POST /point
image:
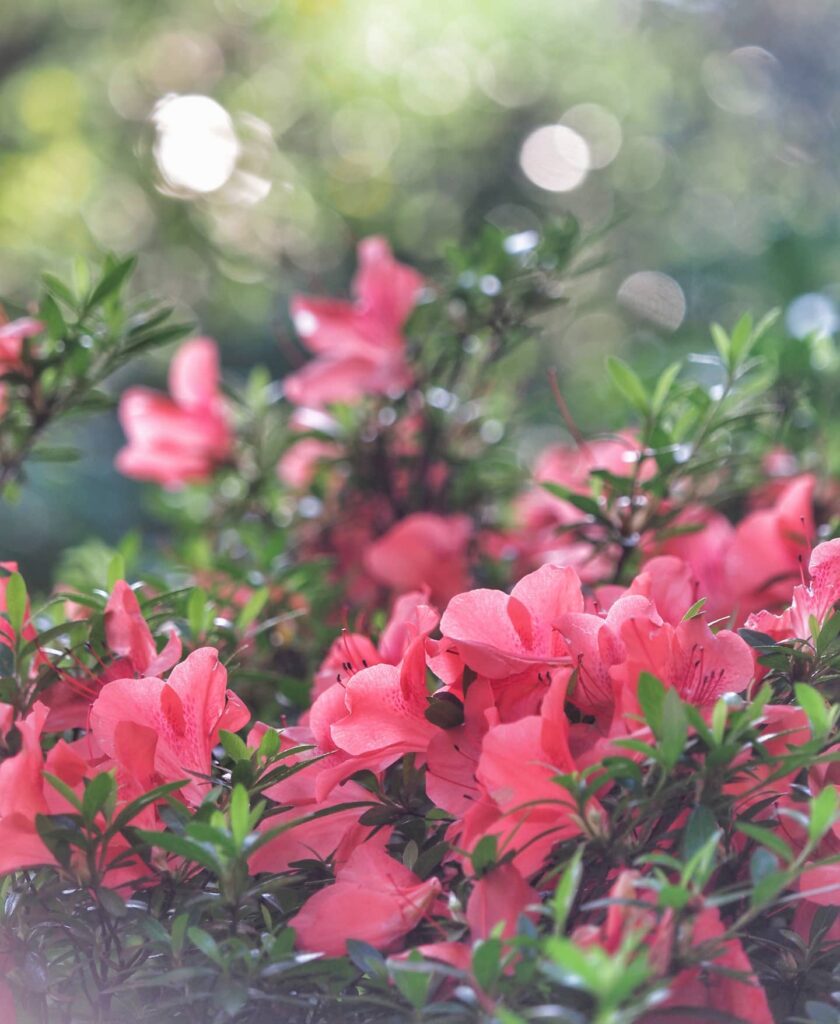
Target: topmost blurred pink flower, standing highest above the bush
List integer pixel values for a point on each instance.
(359, 347)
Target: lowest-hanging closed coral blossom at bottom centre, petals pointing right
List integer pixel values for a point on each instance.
(375, 900)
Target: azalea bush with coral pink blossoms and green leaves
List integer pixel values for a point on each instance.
(389, 723)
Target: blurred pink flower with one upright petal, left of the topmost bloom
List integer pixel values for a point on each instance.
(174, 441)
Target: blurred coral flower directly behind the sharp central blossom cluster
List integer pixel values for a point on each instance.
(424, 550)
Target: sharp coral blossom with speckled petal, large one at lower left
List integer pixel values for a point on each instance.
(167, 731)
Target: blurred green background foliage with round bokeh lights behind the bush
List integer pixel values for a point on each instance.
(242, 147)
